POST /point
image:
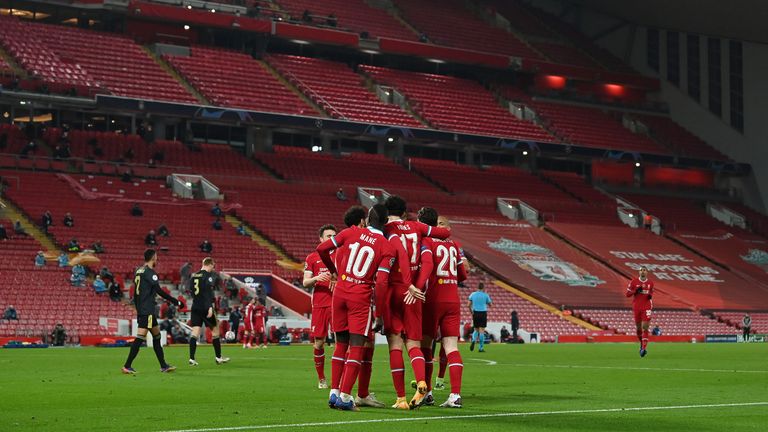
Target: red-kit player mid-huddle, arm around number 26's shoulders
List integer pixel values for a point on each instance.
(404, 320)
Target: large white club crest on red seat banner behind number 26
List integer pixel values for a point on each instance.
(544, 263)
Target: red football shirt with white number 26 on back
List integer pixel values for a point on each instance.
(442, 259)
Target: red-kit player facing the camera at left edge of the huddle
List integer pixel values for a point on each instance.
(317, 277)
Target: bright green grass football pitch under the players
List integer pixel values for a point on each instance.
(579, 387)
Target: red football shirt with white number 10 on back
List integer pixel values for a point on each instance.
(363, 264)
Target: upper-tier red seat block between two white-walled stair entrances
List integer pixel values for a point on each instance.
(456, 104)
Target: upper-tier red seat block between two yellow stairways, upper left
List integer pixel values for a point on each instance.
(231, 79)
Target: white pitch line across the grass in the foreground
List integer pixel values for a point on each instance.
(472, 416)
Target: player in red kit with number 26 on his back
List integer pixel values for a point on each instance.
(443, 268)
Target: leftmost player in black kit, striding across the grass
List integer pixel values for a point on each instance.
(147, 285)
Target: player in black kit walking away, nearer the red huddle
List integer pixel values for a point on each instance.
(202, 284)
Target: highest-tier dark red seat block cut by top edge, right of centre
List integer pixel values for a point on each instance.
(450, 22)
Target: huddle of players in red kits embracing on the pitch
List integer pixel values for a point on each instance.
(384, 273)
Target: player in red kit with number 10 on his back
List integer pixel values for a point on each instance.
(365, 261)
